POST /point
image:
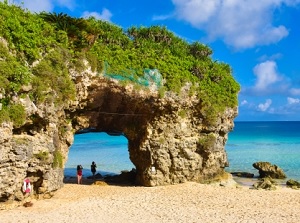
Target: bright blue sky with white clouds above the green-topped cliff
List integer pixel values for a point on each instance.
(259, 39)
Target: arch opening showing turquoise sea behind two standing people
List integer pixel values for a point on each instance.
(109, 150)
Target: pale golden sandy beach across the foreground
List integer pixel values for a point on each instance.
(188, 202)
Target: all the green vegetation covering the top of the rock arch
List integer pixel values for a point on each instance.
(39, 49)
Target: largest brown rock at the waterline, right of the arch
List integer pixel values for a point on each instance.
(267, 169)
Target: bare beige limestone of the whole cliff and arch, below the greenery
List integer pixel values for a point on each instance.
(169, 141)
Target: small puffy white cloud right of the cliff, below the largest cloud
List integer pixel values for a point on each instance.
(266, 74)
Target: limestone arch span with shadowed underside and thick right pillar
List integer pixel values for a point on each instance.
(169, 141)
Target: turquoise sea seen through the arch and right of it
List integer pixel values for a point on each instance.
(249, 142)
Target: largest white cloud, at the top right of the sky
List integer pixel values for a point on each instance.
(241, 24)
